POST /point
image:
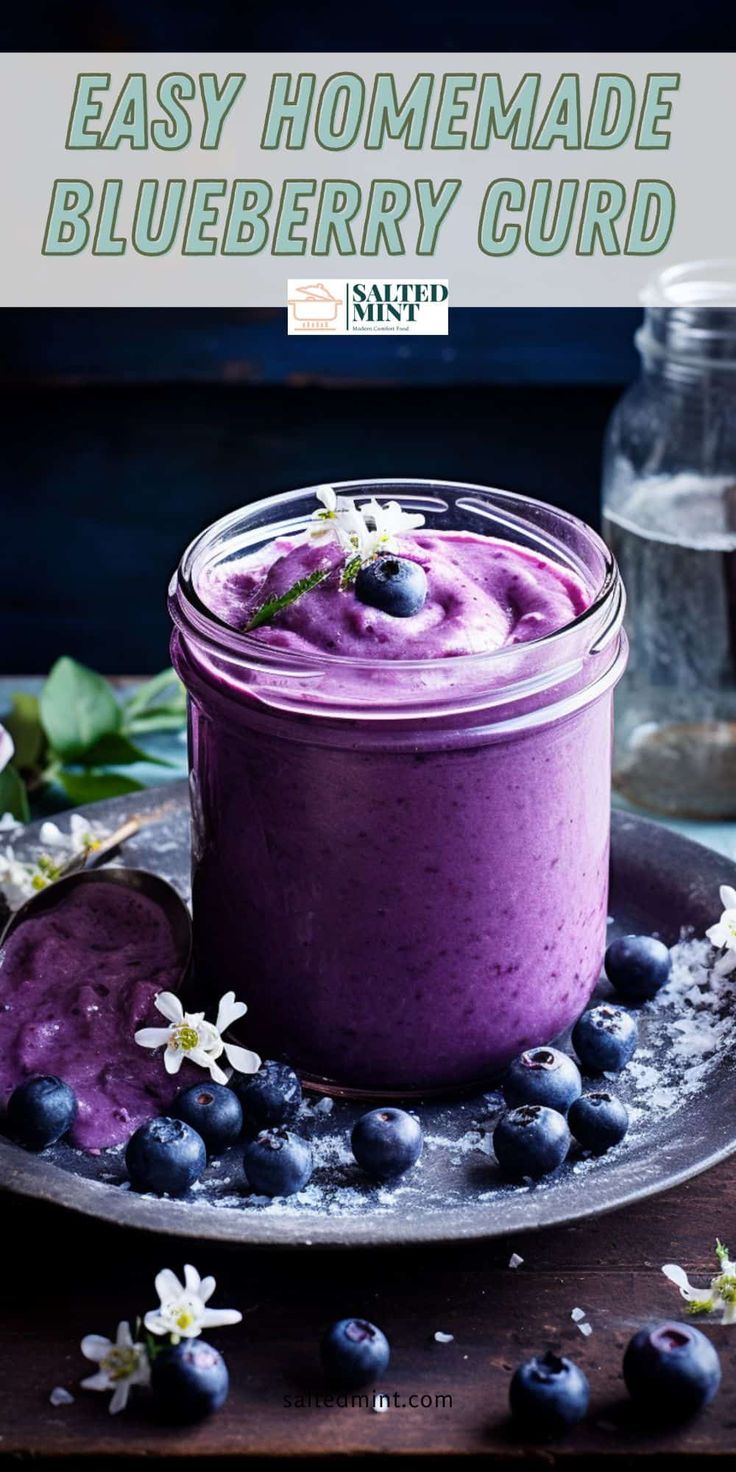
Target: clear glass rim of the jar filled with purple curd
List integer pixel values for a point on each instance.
(194, 616)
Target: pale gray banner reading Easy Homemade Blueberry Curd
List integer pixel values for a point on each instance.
(386, 185)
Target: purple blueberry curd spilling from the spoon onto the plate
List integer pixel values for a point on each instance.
(76, 983)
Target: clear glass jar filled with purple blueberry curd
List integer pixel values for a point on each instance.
(401, 866)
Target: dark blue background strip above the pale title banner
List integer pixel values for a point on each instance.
(323, 26)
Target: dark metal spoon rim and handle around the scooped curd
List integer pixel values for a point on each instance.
(80, 871)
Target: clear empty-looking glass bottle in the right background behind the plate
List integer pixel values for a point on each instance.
(670, 519)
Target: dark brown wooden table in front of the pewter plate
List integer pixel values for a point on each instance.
(66, 1277)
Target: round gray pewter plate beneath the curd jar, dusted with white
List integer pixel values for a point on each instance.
(681, 1089)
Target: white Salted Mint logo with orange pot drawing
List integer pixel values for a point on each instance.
(369, 308)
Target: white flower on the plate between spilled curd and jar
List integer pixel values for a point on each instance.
(191, 1037)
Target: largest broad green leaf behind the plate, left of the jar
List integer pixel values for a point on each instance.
(77, 709)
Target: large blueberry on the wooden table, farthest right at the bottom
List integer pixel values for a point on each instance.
(672, 1371)
